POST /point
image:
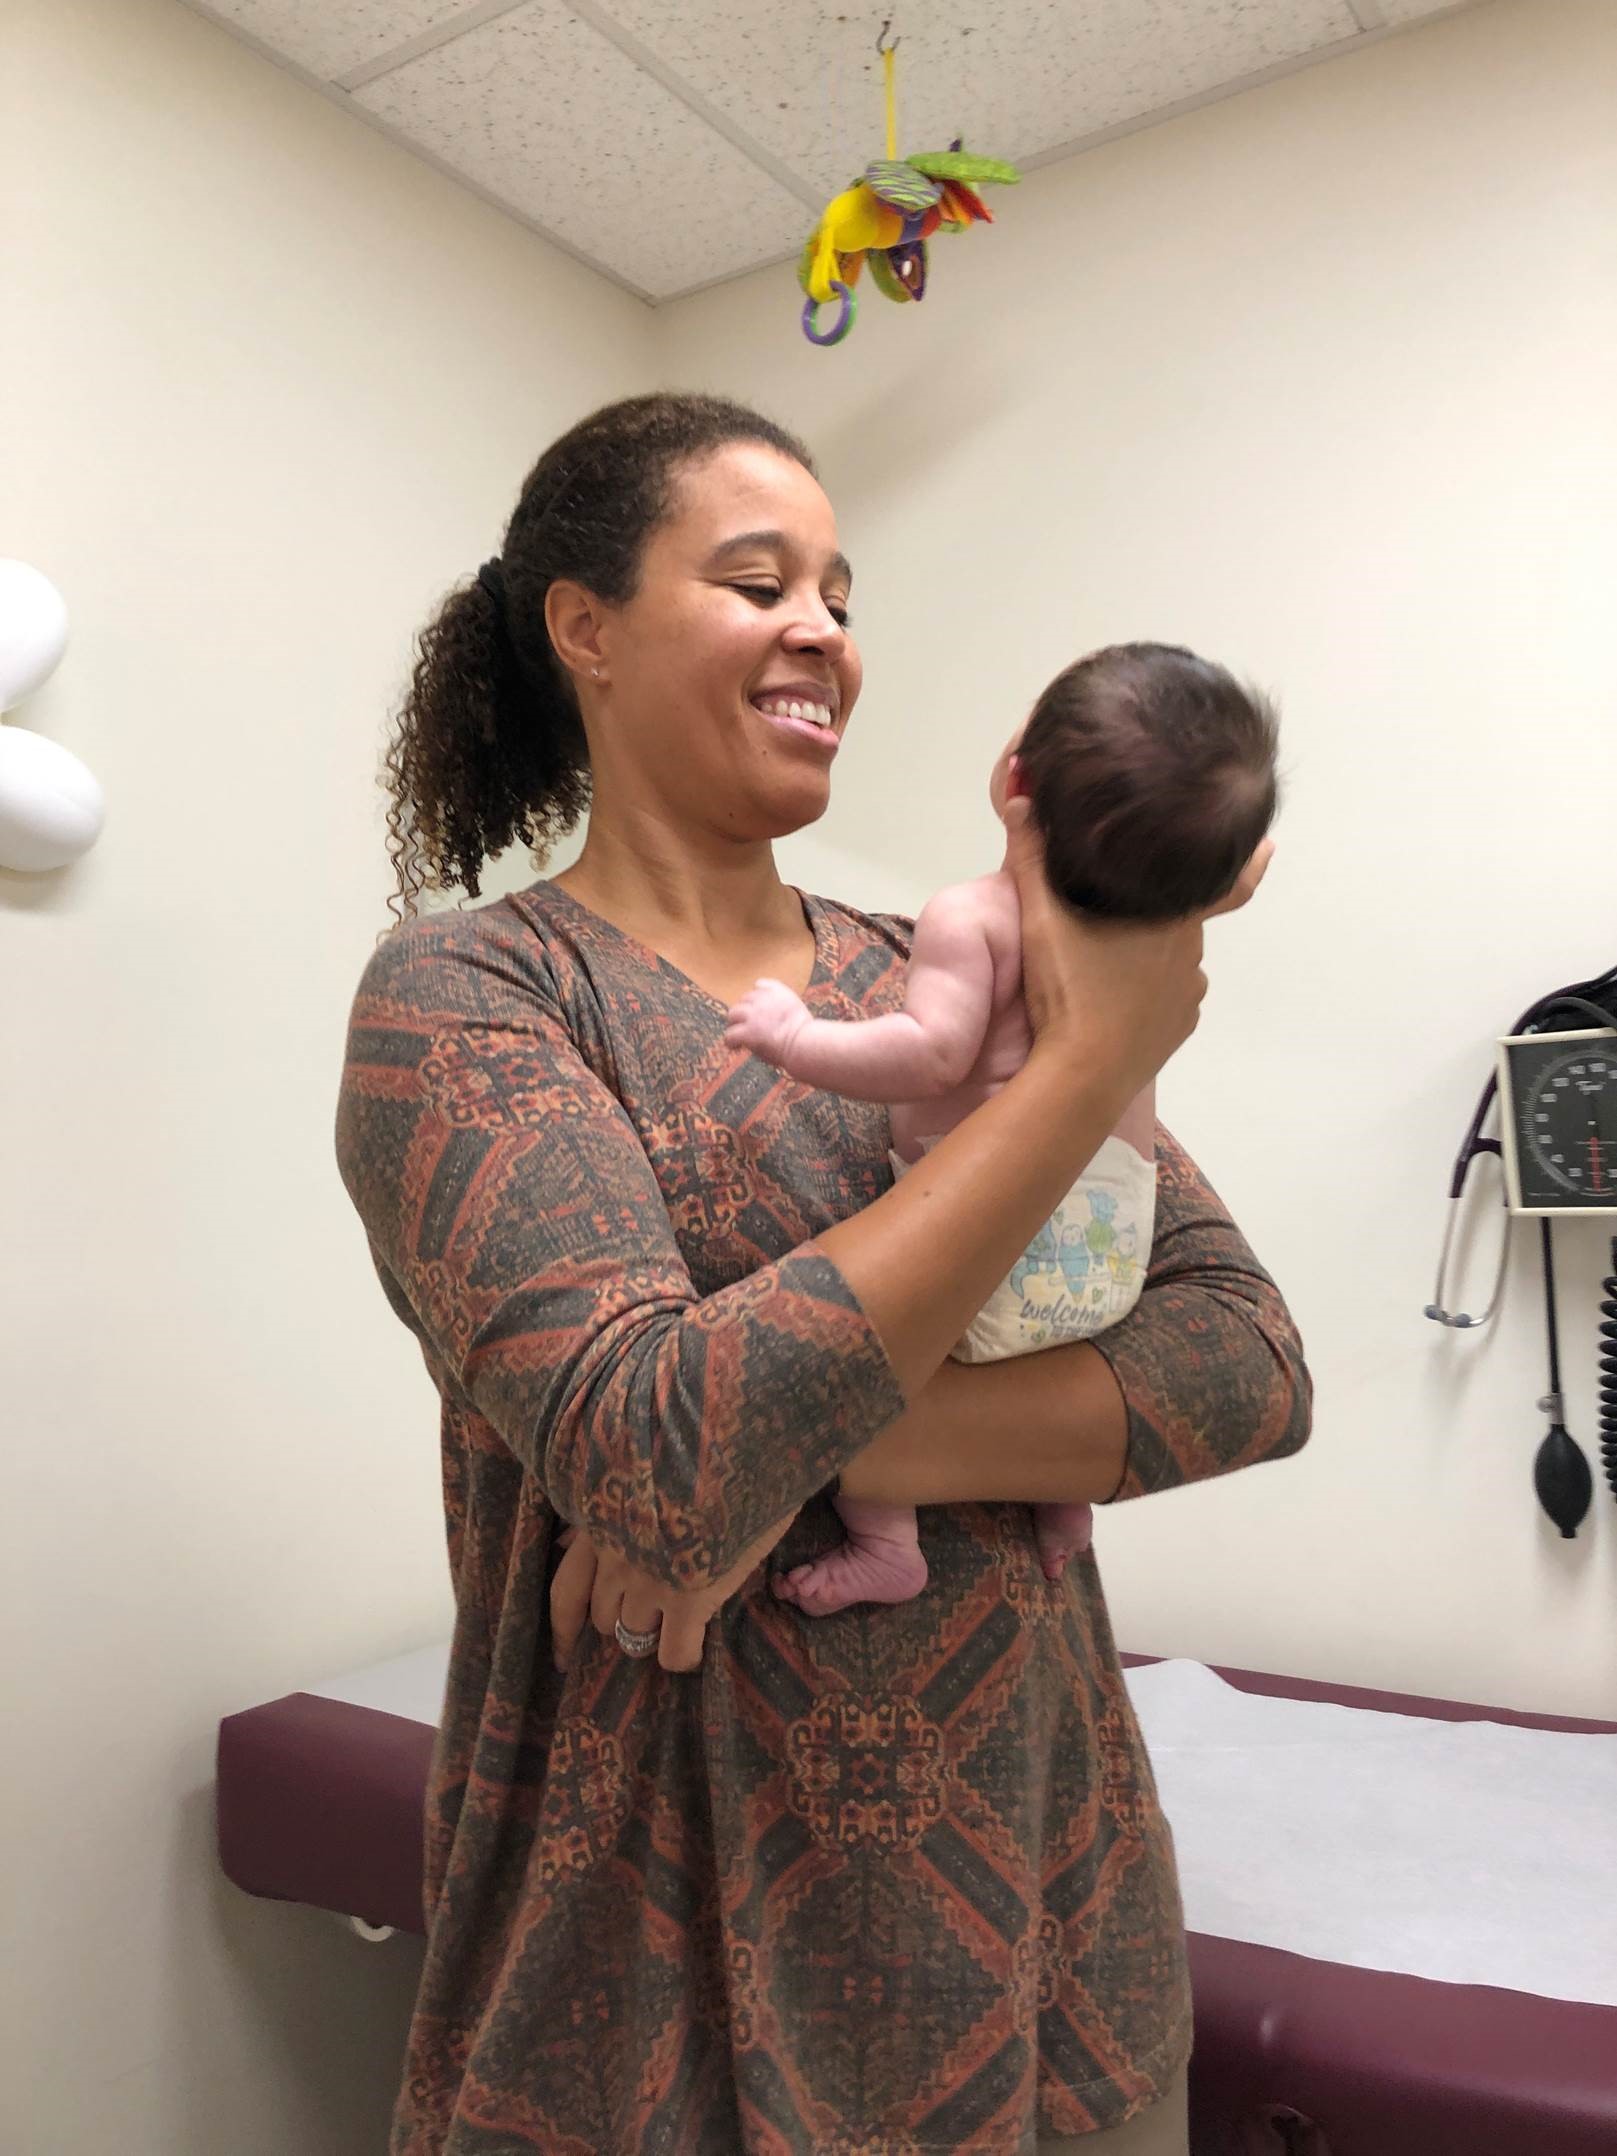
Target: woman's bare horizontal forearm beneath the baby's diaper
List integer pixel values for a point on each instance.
(1040, 1431)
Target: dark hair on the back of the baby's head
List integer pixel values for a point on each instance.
(1152, 779)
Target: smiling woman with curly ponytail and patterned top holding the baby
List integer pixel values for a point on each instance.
(734, 1879)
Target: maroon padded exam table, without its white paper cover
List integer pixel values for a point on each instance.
(320, 1803)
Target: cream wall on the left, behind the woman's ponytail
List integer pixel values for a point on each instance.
(268, 387)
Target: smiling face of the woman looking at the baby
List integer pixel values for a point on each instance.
(728, 680)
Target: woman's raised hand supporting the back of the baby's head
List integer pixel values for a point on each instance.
(1127, 995)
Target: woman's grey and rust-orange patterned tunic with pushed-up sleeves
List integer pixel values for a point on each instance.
(866, 1885)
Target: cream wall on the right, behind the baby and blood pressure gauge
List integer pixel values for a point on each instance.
(1316, 381)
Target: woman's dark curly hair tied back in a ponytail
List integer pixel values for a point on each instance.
(488, 745)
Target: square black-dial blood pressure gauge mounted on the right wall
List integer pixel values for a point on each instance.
(1560, 1120)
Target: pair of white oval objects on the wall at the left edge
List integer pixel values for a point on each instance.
(51, 805)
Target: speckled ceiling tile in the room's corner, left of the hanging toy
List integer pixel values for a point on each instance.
(549, 115)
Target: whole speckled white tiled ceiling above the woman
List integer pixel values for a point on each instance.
(676, 143)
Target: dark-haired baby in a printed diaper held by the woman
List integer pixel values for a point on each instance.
(1152, 784)
